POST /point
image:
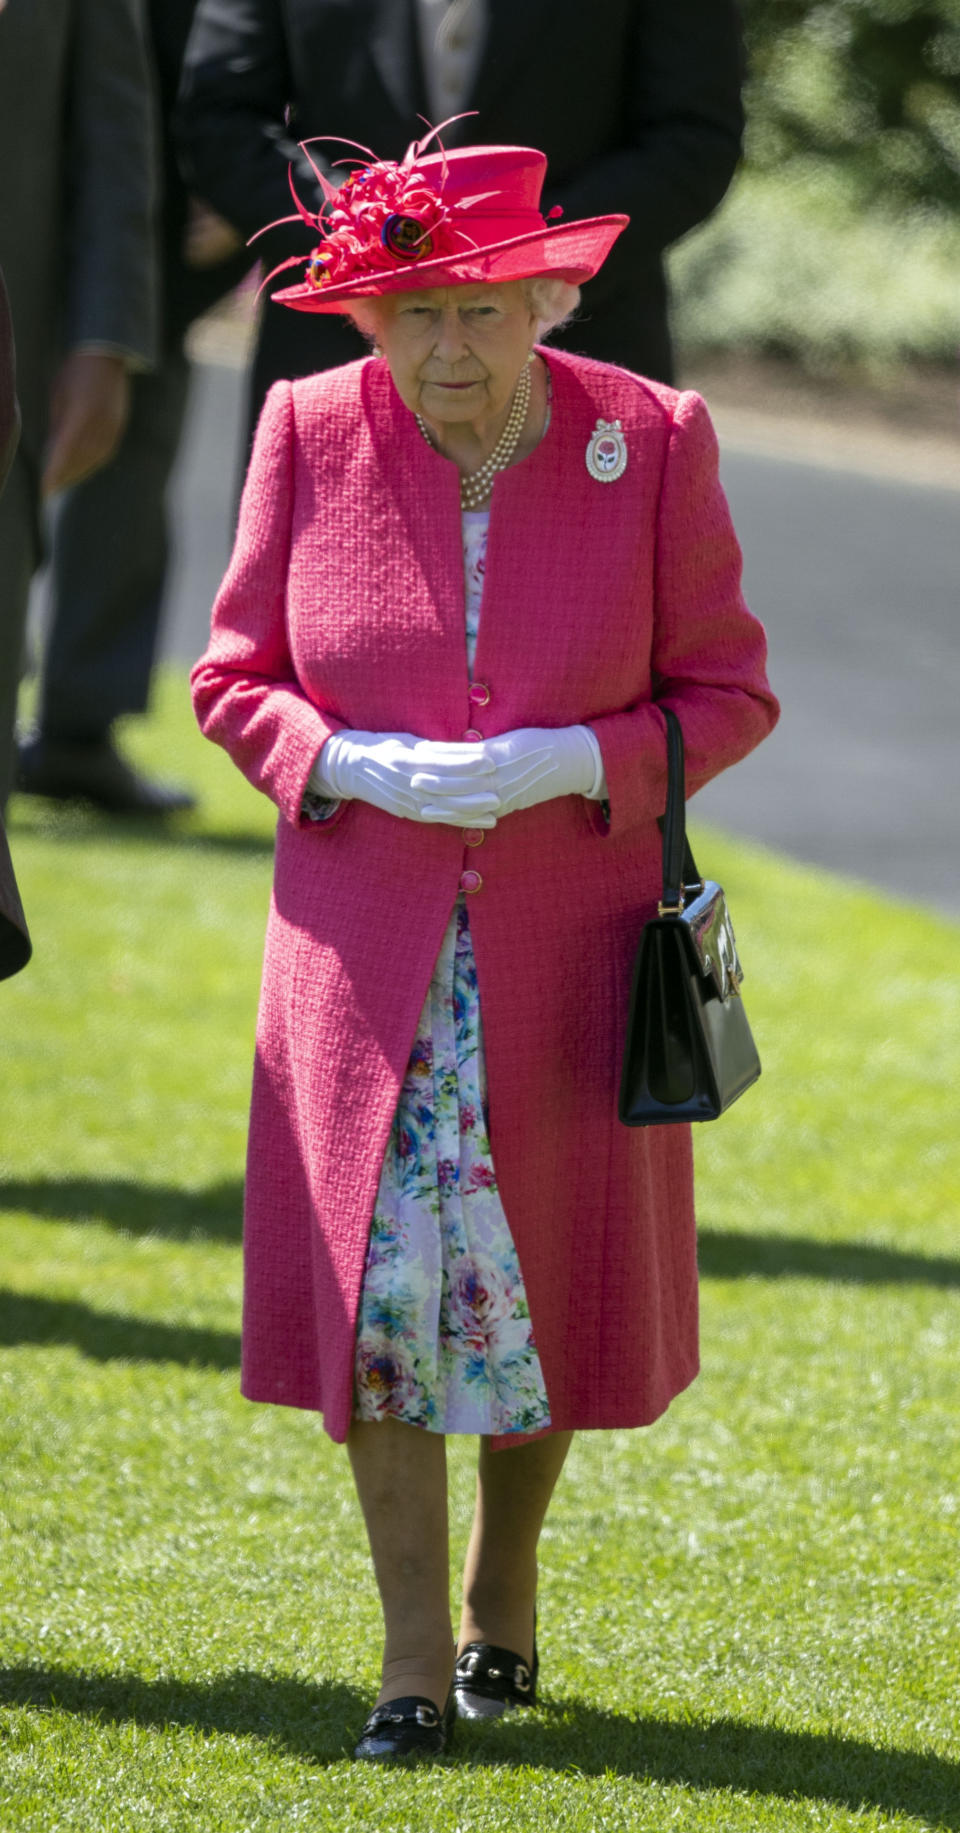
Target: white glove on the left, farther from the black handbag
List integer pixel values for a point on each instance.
(417, 780)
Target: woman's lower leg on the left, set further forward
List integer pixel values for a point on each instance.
(402, 1484)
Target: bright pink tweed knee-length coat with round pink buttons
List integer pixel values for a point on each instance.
(344, 606)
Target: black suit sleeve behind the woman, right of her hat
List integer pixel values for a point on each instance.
(682, 124)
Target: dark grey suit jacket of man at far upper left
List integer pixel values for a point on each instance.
(76, 188)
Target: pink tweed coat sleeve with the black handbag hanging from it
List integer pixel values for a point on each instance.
(708, 652)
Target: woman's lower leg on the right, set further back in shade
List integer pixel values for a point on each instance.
(514, 1491)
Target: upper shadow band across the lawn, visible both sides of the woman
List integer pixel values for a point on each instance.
(215, 1214)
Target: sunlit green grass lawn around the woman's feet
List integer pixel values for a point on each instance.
(748, 1614)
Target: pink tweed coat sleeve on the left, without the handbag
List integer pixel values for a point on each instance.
(246, 690)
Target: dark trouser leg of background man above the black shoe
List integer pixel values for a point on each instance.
(109, 569)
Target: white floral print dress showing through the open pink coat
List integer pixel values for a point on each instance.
(444, 1334)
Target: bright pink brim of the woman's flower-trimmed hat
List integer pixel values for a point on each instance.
(569, 252)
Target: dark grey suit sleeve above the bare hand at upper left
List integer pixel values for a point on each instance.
(111, 263)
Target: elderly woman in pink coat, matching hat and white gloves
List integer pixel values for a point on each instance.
(470, 575)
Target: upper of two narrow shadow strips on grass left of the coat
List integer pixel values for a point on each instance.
(213, 1214)
